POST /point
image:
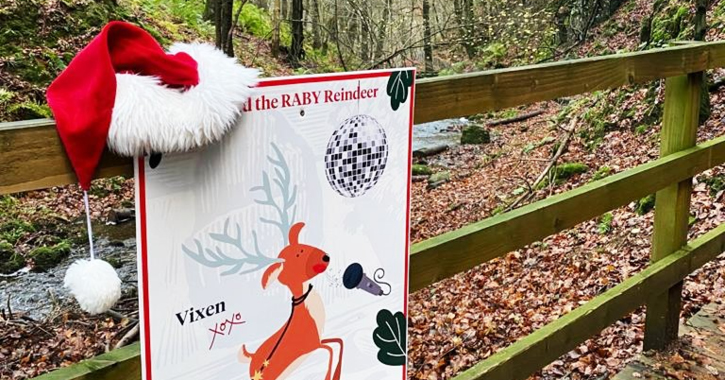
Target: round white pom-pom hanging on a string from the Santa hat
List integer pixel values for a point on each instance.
(94, 284)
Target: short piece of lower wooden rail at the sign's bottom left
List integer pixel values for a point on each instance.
(121, 364)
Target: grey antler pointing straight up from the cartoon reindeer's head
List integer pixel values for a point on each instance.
(287, 191)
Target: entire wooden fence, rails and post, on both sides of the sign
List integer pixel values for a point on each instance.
(31, 157)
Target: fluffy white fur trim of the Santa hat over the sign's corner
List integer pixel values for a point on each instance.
(149, 117)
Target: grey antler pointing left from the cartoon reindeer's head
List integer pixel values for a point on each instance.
(217, 258)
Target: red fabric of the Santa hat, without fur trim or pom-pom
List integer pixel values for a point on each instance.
(83, 95)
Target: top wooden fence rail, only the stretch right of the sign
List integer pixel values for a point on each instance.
(468, 94)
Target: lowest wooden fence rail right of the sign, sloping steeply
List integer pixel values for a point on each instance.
(531, 353)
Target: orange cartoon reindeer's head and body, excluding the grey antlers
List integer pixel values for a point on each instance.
(300, 335)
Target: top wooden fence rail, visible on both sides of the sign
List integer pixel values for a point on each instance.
(31, 153)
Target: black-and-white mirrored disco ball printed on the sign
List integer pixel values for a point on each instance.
(356, 156)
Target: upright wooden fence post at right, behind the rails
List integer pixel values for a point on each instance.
(672, 204)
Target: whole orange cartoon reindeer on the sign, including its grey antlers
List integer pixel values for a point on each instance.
(294, 267)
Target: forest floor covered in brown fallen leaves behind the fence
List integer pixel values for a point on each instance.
(461, 320)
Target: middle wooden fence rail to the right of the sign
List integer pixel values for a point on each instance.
(453, 252)
